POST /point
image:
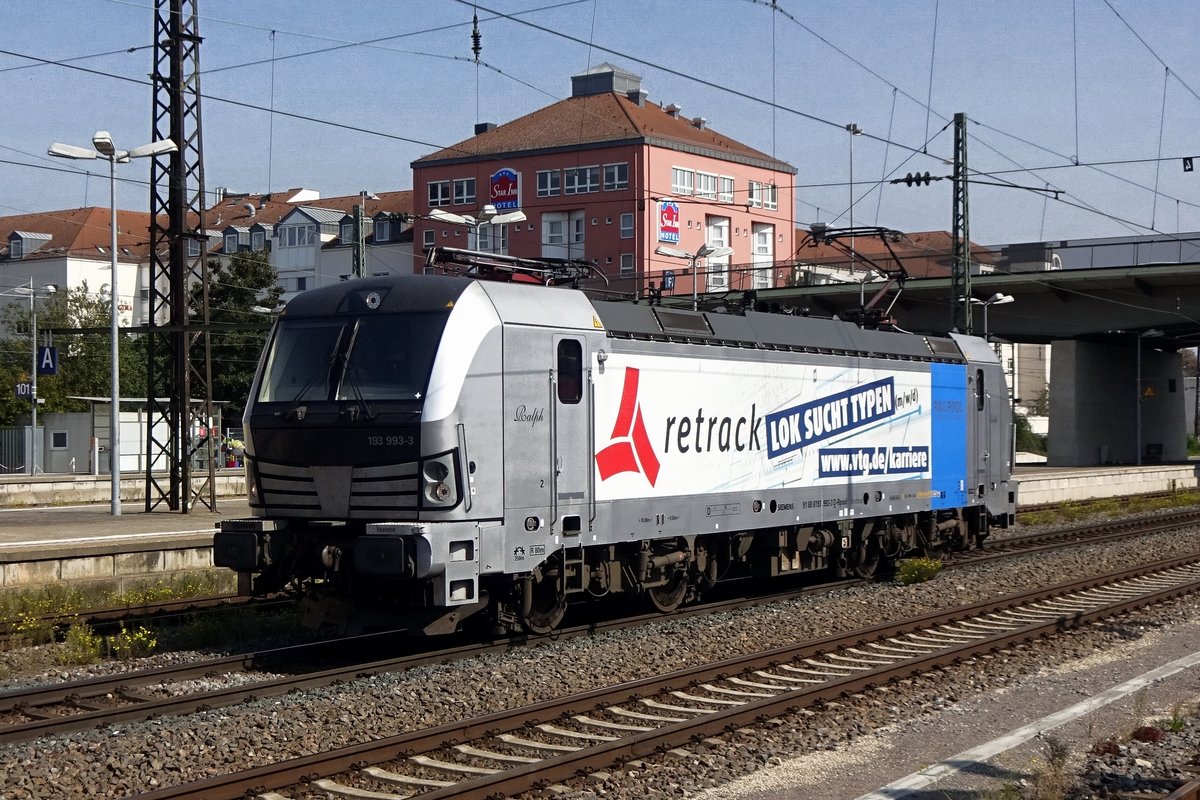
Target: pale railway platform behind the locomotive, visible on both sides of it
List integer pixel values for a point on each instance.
(59, 528)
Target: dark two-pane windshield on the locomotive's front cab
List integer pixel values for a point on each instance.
(375, 358)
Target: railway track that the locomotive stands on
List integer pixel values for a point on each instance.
(76, 706)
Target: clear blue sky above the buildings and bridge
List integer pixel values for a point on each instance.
(1045, 85)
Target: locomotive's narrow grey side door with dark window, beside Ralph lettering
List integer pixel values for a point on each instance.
(572, 444)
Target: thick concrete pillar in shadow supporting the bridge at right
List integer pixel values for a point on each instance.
(1107, 400)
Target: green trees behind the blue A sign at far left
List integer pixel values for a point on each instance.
(77, 323)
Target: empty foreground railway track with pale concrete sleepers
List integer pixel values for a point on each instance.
(514, 751)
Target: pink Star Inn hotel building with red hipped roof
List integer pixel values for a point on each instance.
(610, 178)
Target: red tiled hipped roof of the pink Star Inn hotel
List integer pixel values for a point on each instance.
(595, 121)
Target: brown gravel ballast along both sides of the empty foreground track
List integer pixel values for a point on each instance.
(137, 757)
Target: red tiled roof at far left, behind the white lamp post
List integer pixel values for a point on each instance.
(79, 233)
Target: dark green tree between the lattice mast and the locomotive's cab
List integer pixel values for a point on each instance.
(236, 288)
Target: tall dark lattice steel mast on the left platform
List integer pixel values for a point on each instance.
(179, 363)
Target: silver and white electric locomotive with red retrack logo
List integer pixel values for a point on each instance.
(421, 450)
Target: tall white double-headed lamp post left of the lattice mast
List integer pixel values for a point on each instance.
(106, 151)
